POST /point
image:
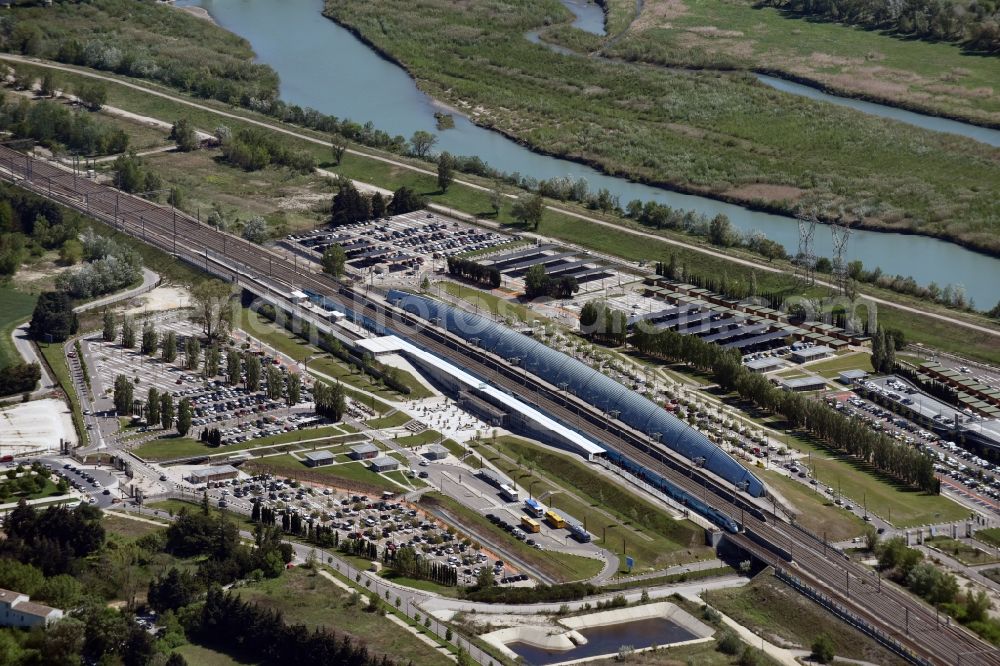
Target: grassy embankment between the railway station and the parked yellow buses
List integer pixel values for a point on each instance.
(636, 528)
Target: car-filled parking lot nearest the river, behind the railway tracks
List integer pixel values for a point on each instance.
(413, 241)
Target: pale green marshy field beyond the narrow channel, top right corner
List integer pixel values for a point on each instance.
(936, 77)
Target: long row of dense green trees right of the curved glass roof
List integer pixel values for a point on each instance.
(850, 435)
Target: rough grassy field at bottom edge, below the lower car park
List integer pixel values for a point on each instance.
(305, 597)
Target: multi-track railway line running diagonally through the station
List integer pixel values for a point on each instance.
(916, 628)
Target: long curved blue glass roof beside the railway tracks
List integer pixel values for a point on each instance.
(583, 381)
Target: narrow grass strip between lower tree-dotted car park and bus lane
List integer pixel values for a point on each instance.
(560, 566)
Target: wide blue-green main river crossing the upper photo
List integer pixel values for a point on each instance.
(324, 66)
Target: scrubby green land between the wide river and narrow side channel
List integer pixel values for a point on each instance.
(710, 133)
